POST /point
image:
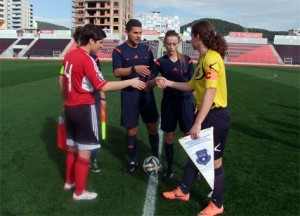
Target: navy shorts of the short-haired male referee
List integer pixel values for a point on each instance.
(134, 103)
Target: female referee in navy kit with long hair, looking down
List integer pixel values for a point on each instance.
(176, 106)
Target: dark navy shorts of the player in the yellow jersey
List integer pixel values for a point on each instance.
(220, 120)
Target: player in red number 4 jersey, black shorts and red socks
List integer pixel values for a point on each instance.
(81, 78)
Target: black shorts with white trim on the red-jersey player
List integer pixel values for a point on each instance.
(82, 127)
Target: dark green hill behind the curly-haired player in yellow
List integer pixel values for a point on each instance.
(225, 27)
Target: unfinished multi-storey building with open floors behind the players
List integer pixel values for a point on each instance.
(111, 15)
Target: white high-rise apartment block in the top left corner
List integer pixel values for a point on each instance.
(17, 14)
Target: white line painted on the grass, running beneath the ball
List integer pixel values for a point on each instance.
(149, 205)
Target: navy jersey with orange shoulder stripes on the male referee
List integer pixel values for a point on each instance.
(125, 56)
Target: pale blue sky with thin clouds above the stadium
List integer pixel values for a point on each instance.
(273, 15)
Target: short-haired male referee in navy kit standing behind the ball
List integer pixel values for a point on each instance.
(134, 59)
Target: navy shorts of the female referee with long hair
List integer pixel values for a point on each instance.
(177, 110)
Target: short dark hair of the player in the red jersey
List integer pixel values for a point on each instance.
(91, 31)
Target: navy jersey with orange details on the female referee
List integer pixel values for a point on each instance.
(174, 71)
